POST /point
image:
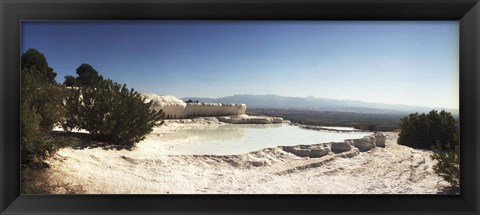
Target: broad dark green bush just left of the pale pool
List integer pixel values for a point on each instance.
(111, 112)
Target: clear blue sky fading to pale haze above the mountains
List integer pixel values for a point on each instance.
(401, 62)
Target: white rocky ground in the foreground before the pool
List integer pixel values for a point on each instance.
(393, 169)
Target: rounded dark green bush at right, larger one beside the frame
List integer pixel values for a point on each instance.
(425, 131)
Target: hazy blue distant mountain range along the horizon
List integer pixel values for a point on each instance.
(318, 104)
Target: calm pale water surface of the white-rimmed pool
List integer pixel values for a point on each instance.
(239, 139)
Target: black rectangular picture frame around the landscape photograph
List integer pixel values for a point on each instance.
(14, 11)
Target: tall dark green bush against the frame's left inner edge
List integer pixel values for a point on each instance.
(40, 104)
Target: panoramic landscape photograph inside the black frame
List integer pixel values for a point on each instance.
(240, 107)
